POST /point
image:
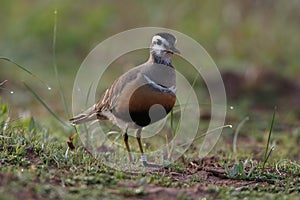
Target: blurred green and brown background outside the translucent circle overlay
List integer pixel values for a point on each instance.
(254, 43)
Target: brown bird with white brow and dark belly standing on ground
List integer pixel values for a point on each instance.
(143, 95)
